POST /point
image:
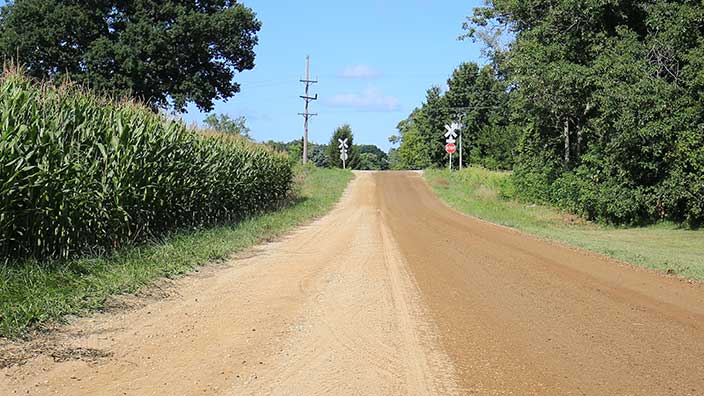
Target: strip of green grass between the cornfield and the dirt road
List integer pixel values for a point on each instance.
(33, 294)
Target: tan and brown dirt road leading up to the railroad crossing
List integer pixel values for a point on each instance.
(392, 293)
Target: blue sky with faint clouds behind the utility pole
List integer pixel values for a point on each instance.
(374, 60)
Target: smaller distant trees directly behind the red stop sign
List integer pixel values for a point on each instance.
(479, 98)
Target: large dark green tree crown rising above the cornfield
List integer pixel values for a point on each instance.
(157, 51)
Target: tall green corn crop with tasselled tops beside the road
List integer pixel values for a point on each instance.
(81, 174)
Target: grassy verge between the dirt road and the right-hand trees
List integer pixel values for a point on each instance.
(487, 195)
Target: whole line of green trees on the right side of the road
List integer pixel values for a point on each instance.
(596, 106)
